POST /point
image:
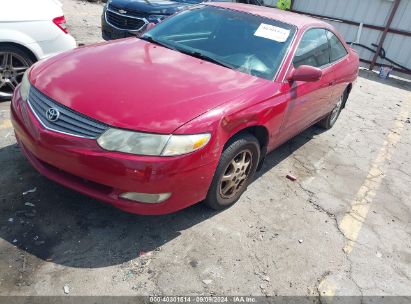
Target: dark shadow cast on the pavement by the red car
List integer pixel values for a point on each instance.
(71, 229)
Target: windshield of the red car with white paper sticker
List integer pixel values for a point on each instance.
(248, 43)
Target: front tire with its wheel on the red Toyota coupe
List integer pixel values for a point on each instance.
(233, 175)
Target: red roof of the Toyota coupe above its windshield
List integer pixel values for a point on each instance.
(301, 21)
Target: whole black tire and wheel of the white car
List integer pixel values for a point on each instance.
(14, 61)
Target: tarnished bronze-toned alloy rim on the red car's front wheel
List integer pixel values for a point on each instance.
(236, 174)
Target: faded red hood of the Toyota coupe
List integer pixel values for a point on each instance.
(134, 84)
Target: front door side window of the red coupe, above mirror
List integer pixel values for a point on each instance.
(313, 49)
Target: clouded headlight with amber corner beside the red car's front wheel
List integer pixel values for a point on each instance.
(151, 144)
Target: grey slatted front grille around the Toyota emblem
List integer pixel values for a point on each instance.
(68, 122)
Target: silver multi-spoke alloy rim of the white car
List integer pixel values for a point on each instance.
(12, 68)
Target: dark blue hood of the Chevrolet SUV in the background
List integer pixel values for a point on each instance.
(165, 7)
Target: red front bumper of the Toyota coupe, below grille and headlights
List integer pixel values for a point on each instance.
(80, 164)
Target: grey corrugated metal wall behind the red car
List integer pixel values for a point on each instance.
(373, 12)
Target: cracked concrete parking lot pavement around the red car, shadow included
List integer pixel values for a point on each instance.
(341, 228)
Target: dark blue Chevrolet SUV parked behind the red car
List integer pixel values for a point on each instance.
(124, 18)
